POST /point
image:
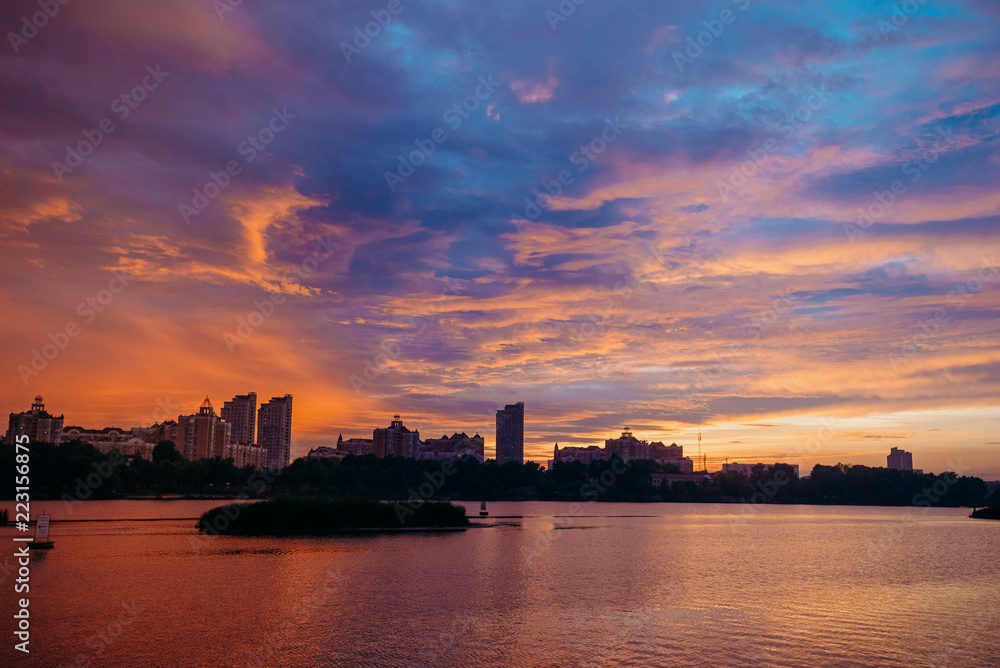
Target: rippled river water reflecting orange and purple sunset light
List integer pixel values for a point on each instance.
(544, 584)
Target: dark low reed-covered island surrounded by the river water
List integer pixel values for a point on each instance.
(285, 516)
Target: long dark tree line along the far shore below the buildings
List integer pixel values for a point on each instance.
(77, 470)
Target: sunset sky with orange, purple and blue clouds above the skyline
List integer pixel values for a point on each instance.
(702, 265)
